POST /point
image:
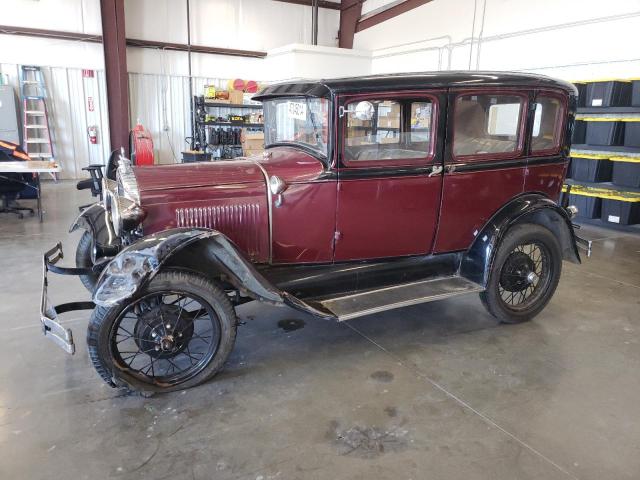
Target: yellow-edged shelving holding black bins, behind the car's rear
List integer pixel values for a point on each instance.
(604, 174)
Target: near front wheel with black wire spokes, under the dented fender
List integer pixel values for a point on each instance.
(177, 334)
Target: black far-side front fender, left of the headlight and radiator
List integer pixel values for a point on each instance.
(94, 219)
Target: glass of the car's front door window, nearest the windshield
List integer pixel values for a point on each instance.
(392, 130)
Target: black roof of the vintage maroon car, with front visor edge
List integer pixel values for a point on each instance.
(409, 81)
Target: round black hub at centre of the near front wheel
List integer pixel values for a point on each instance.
(163, 331)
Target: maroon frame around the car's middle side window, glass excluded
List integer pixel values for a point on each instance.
(519, 151)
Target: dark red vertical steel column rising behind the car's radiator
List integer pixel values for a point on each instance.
(115, 62)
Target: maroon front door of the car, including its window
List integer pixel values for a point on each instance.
(389, 179)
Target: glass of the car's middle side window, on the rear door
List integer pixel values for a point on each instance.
(487, 124)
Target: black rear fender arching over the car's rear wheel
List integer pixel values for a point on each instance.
(531, 208)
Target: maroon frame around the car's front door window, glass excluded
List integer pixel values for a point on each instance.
(413, 96)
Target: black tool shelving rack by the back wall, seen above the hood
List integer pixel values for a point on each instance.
(203, 136)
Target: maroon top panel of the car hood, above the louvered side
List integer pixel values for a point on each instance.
(188, 175)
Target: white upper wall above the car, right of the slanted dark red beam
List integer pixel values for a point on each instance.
(571, 39)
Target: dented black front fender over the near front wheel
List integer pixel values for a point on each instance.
(207, 251)
